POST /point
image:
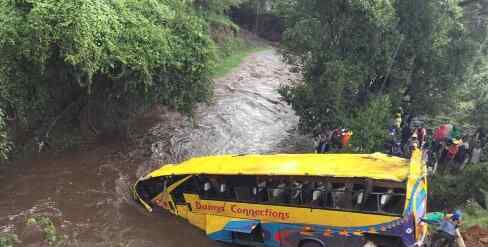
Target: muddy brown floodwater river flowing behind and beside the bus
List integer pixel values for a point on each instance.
(86, 192)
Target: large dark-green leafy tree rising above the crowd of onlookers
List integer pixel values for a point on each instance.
(350, 52)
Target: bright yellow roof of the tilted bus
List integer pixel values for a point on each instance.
(375, 166)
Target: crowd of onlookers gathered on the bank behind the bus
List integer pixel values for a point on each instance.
(445, 147)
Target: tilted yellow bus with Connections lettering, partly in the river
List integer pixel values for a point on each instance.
(295, 200)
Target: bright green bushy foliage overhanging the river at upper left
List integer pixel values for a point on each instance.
(107, 55)
